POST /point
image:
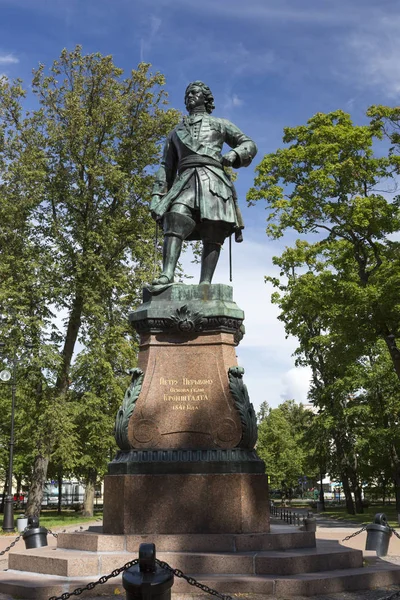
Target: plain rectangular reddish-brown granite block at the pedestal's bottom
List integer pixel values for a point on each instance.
(186, 503)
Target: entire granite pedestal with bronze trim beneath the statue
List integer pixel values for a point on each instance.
(187, 428)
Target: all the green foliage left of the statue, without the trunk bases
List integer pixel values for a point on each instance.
(76, 242)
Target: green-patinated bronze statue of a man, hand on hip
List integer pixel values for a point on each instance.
(193, 195)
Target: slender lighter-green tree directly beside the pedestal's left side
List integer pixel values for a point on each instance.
(99, 379)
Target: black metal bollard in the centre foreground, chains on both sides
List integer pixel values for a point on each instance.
(147, 580)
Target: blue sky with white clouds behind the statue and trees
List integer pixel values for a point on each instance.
(270, 64)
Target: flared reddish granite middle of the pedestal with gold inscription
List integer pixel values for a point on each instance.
(185, 396)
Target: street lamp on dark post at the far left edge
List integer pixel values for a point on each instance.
(5, 377)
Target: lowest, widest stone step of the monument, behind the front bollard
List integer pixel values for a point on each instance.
(378, 574)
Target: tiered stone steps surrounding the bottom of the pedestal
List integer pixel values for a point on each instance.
(271, 564)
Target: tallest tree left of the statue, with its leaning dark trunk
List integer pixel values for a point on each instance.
(76, 174)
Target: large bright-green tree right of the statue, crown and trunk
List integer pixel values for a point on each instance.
(338, 292)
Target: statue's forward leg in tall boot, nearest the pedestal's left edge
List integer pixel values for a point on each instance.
(177, 228)
